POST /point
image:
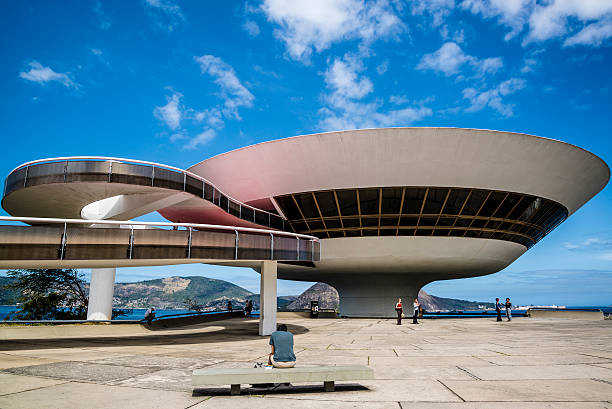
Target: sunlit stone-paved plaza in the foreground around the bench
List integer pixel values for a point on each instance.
(446, 363)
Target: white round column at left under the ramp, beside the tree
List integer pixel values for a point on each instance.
(101, 290)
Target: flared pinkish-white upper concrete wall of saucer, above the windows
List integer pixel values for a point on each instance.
(449, 157)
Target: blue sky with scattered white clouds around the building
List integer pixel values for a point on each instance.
(179, 81)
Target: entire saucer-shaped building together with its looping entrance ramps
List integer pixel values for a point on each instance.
(393, 209)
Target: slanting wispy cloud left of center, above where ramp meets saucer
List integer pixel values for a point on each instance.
(234, 94)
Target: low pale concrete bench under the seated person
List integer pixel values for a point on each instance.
(326, 374)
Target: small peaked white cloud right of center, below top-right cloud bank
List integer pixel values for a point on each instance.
(450, 58)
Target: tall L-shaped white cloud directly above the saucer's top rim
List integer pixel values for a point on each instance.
(344, 108)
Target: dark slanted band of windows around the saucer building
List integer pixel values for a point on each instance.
(422, 211)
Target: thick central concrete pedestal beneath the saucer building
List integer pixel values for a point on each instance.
(375, 295)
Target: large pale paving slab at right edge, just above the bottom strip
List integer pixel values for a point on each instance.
(532, 390)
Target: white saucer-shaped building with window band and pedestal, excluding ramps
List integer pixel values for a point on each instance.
(399, 208)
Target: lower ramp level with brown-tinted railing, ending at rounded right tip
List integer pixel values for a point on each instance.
(77, 243)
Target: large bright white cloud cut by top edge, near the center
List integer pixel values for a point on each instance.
(314, 25)
